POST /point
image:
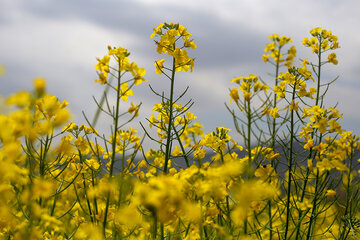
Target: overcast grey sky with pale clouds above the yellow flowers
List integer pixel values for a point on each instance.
(60, 40)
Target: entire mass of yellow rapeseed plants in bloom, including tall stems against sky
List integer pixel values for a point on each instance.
(296, 177)
